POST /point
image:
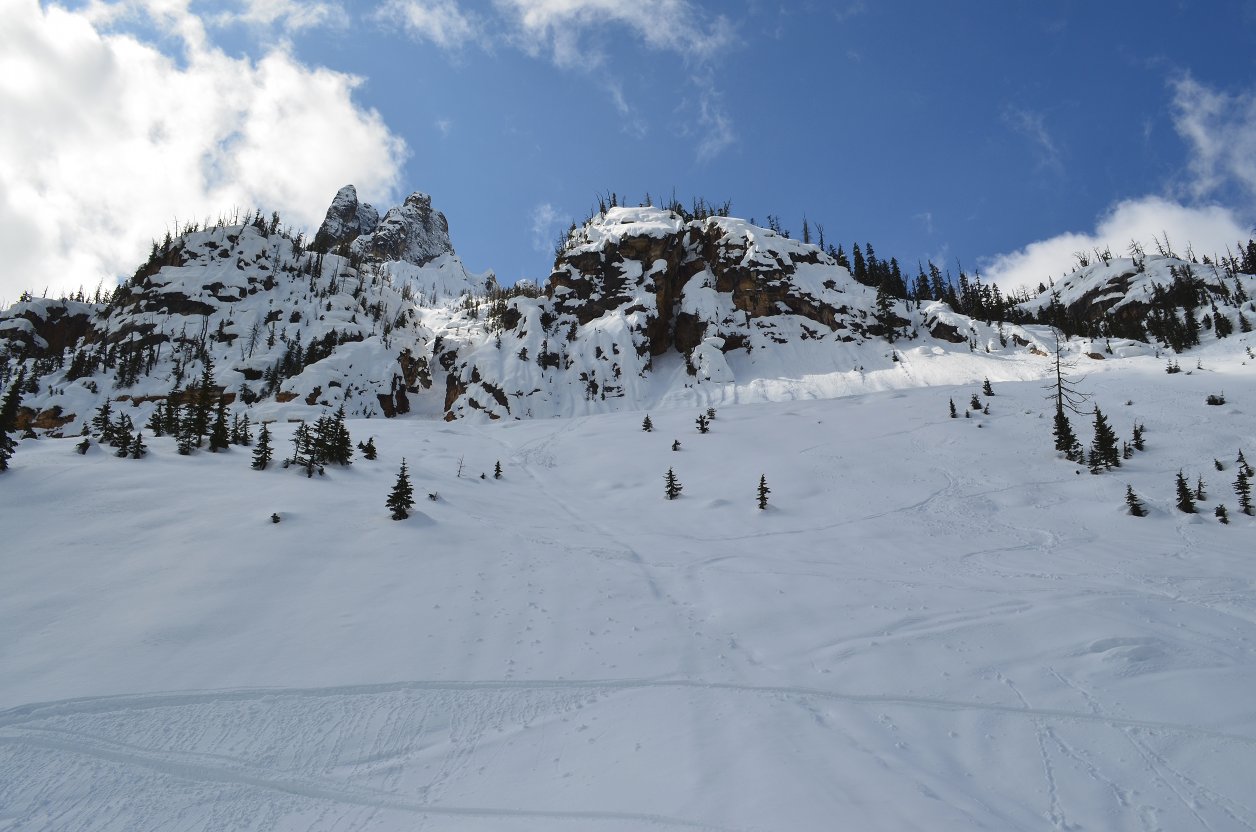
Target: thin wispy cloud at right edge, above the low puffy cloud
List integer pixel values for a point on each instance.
(1221, 133)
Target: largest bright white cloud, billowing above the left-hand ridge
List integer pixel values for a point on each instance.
(106, 141)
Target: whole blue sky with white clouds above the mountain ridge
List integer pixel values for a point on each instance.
(1000, 135)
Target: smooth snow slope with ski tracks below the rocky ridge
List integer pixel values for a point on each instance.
(936, 625)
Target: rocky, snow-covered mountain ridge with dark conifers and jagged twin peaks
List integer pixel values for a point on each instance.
(646, 307)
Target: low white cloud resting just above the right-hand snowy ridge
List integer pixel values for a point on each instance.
(1208, 229)
